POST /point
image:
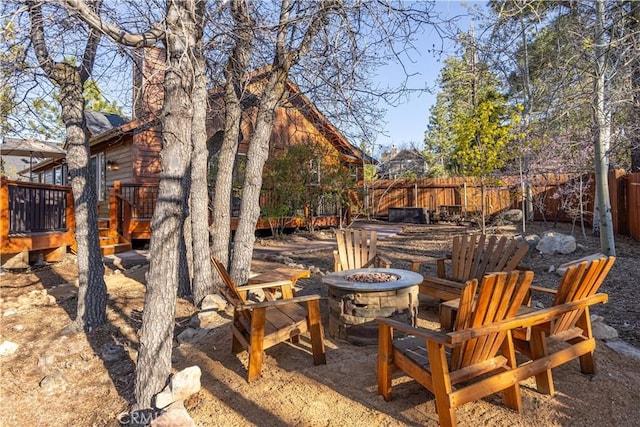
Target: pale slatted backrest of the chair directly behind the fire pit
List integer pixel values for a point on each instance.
(356, 247)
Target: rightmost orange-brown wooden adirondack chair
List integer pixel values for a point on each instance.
(579, 283)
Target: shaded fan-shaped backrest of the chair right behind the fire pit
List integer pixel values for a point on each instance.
(474, 256)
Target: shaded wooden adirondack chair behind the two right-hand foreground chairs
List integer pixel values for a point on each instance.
(471, 258)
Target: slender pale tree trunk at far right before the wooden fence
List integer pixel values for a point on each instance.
(602, 118)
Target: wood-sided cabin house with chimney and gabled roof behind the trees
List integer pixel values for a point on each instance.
(127, 163)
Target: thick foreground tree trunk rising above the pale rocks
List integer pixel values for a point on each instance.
(156, 333)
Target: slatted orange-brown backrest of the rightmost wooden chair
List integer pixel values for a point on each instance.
(579, 281)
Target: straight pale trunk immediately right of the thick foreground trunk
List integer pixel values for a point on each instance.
(202, 275)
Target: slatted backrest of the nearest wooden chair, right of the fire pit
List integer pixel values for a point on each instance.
(499, 297)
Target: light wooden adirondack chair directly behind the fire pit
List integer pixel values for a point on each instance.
(357, 249)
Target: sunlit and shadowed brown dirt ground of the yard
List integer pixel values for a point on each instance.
(58, 379)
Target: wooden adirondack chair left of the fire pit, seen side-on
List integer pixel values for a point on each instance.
(259, 326)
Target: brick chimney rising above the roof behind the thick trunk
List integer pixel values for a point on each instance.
(148, 79)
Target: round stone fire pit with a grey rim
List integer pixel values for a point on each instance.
(357, 297)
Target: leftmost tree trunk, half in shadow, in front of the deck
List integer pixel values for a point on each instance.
(92, 292)
